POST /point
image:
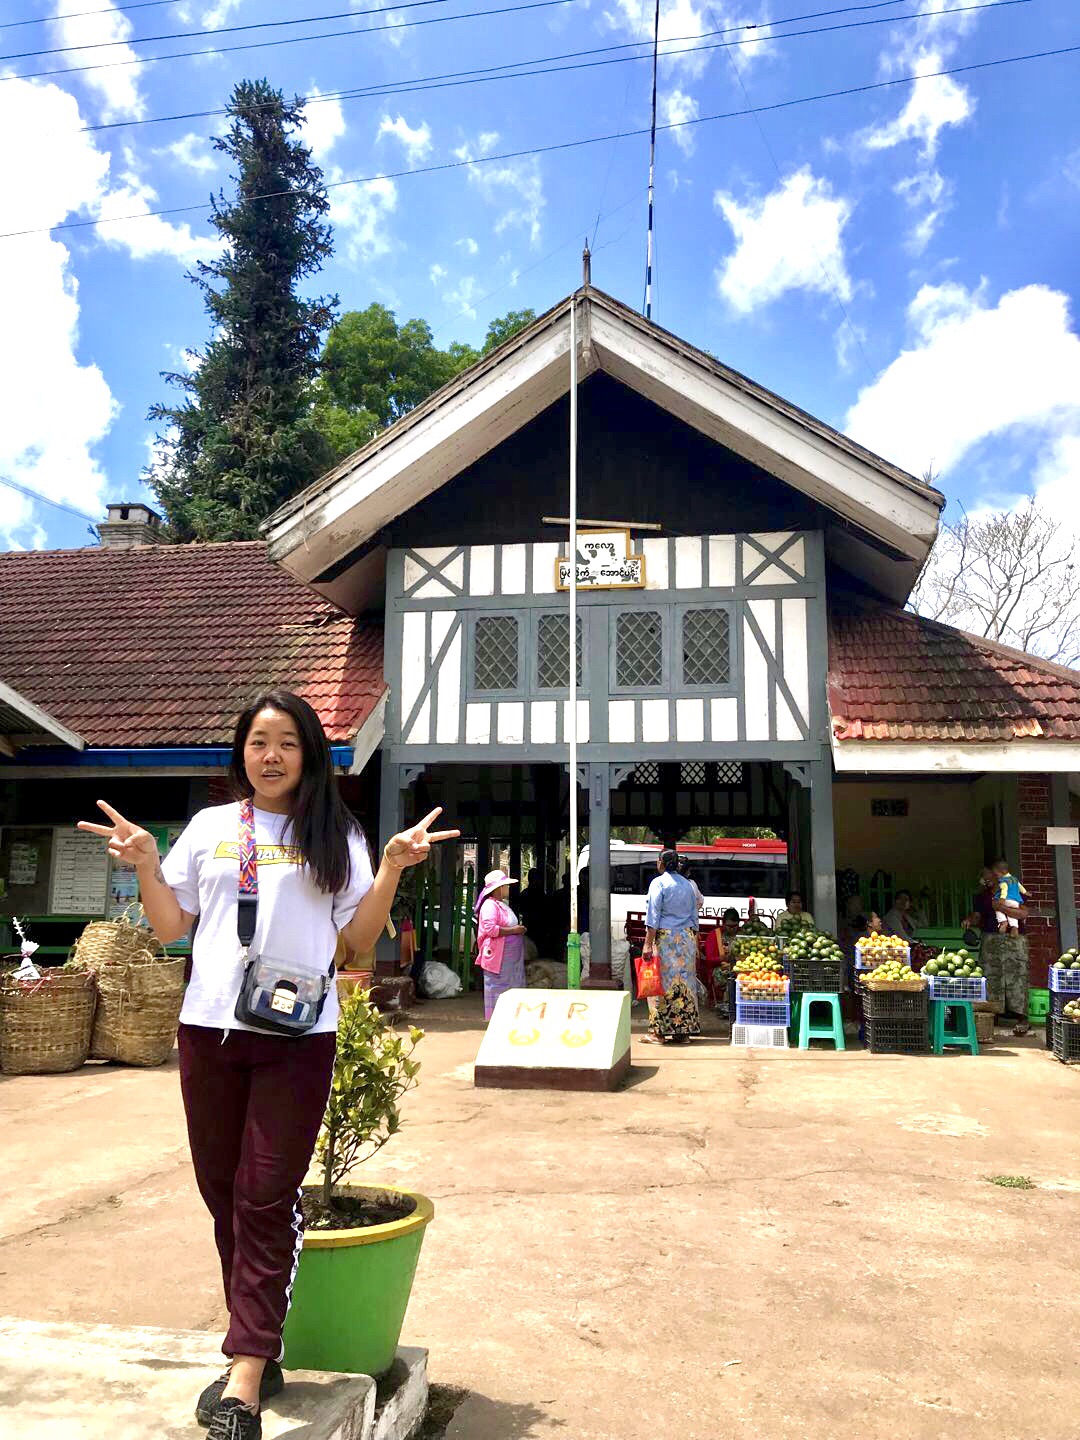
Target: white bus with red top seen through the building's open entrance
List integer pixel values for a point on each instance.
(729, 875)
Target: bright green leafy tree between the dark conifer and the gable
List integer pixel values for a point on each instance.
(375, 371)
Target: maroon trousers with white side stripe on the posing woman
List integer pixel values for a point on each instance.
(254, 1107)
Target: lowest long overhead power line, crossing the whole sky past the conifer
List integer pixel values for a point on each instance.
(577, 145)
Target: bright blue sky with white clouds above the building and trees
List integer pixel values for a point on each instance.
(904, 263)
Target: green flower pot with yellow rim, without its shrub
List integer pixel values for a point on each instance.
(352, 1291)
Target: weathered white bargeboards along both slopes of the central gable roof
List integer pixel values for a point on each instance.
(886, 519)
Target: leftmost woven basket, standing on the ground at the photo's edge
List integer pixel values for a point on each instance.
(45, 1026)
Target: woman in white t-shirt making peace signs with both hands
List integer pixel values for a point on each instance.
(256, 1101)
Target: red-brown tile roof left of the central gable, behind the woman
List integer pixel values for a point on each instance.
(162, 646)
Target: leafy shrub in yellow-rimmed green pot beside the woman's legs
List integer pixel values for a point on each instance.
(362, 1243)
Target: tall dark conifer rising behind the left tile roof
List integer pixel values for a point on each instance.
(244, 438)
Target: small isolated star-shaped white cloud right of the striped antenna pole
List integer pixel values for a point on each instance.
(791, 240)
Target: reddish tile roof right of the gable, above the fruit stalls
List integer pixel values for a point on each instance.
(895, 676)
